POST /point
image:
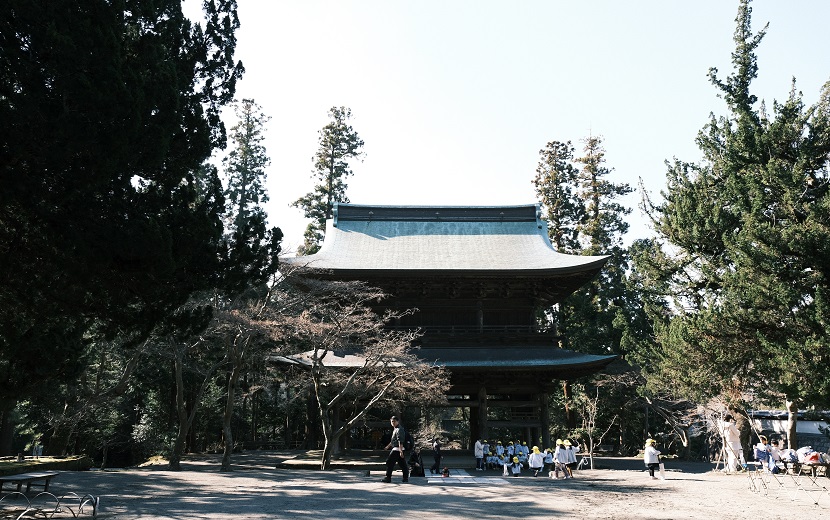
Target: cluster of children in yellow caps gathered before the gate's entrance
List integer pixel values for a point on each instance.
(514, 457)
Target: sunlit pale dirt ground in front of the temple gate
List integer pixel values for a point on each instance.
(257, 491)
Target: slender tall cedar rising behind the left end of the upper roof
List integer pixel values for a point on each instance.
(338, 144)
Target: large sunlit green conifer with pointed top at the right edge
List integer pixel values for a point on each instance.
(749, 233)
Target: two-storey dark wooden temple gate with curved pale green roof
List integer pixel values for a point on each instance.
(478, 277)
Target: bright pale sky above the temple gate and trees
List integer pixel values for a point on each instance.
(454, 99)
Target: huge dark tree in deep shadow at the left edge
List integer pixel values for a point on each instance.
(108, 110)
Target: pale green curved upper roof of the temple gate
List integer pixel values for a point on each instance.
(424, 239)
